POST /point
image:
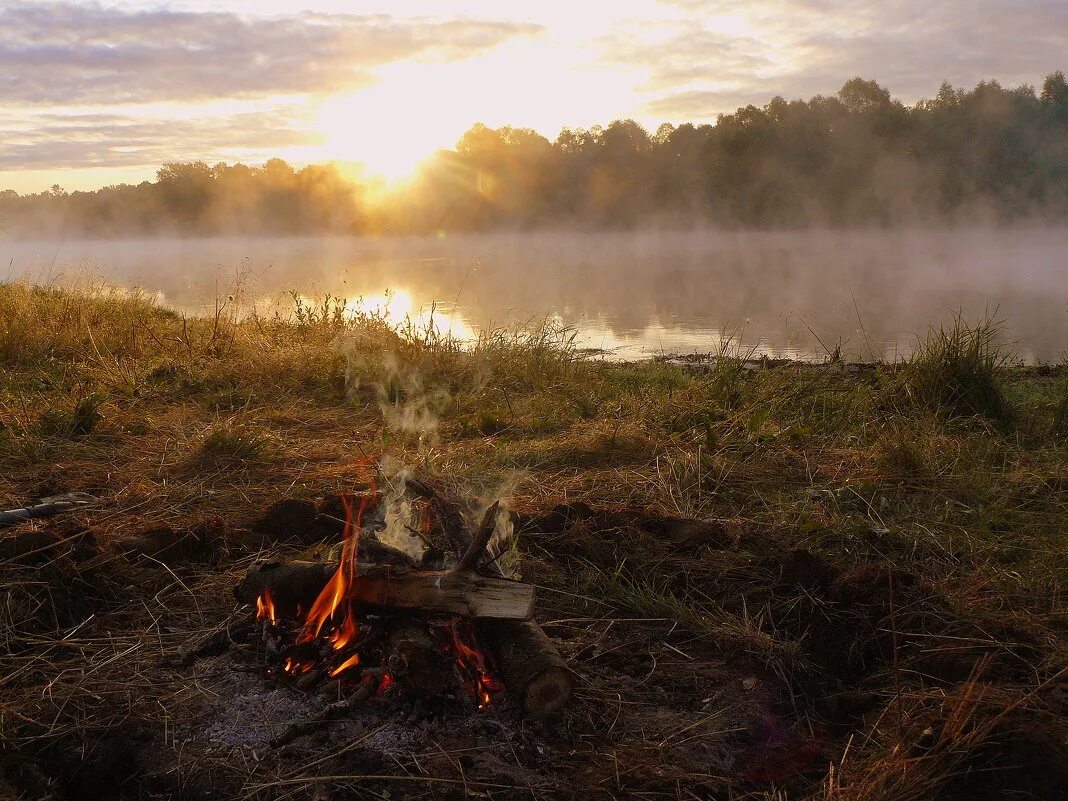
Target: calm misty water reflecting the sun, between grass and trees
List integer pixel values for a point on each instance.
(632, 295)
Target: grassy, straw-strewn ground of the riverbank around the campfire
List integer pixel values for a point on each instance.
(773, 580)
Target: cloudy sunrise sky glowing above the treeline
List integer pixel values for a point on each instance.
(95, 93)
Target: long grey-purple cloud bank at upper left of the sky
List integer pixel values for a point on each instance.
(56, 54)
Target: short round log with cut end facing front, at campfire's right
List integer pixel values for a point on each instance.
(529, 665)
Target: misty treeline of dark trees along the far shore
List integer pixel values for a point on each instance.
(858, 159)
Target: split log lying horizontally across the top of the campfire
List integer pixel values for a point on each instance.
(431, 592)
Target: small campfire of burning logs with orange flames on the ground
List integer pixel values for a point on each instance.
(435, 629)
